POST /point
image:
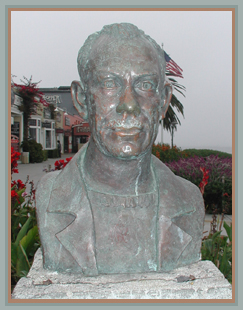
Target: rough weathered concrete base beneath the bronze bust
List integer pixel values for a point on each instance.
(209, 283)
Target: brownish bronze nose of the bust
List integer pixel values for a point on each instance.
(128, 104)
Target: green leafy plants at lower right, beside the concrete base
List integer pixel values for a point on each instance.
(218, 249)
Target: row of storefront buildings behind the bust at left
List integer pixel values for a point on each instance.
(59, 121)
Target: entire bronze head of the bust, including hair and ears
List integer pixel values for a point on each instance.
(122, 89)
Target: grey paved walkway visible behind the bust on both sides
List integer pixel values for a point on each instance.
(36, 171)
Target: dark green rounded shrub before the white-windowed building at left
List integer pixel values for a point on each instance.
(35, 150)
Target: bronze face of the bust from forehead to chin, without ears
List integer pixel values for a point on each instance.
(124, 96)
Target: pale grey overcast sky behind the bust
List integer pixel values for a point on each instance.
(45, 44)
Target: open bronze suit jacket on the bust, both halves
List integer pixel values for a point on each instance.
(66, 225)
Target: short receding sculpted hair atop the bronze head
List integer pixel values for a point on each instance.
(122, 31)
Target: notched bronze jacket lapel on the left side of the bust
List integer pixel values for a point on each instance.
(69, 197)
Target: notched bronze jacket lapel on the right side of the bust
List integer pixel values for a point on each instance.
(173, 204)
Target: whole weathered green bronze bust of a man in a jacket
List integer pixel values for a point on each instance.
(115, 208)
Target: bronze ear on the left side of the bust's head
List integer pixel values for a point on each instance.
(78, 97)
